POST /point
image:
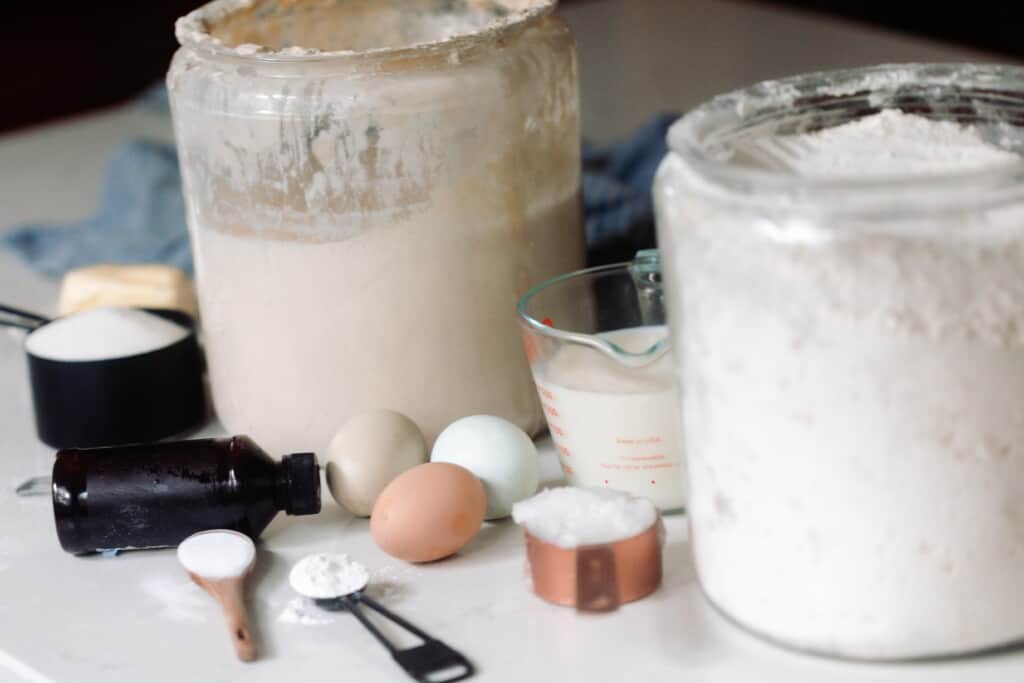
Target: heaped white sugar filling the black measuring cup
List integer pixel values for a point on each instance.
(101, 334)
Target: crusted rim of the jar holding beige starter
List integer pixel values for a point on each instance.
(193, 32)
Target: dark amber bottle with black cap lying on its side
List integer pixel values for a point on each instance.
(156, 495)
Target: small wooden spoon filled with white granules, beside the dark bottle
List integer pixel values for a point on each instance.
(220, 562)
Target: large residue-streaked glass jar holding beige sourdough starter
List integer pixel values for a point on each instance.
(371, 186)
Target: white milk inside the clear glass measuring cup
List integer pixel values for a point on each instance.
(616, 426)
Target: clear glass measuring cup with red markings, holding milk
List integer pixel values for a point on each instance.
(598, 345)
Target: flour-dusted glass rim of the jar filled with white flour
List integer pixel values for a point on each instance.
(732, 113)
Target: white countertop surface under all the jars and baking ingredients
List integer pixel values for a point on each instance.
(137, 618)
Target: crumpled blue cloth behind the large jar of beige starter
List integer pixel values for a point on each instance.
(143, 219)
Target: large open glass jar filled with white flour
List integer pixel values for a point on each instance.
(847, 311)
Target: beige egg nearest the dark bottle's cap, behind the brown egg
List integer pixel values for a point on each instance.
(367, 454)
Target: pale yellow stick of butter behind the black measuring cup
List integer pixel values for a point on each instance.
(145, 286)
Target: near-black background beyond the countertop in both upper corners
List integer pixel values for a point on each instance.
(58, 59)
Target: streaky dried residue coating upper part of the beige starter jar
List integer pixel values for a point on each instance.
(324, 159)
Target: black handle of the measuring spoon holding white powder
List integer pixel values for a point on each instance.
(425, 663)
